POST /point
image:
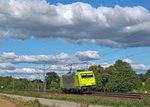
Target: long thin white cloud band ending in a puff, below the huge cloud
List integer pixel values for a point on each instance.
(62, 58)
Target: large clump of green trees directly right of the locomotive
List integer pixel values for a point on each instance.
(119, 77)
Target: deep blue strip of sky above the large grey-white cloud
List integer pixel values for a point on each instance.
(110, 3)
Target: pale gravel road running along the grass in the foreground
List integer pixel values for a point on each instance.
(51, 102)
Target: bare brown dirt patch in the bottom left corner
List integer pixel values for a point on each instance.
(6, 103)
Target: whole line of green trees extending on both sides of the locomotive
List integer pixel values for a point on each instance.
(119, 77)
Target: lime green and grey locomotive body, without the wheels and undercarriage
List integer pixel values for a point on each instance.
(78, 80)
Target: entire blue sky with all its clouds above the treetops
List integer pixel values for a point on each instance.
(38, 29)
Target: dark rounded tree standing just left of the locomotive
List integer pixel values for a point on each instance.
(51, 79)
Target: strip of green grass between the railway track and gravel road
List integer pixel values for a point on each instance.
(87, 99)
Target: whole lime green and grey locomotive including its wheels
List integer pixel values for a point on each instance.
(78, 82)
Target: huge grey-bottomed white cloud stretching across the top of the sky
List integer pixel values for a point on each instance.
(77, 22)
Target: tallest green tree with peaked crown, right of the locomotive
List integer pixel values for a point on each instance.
(127, 79)
